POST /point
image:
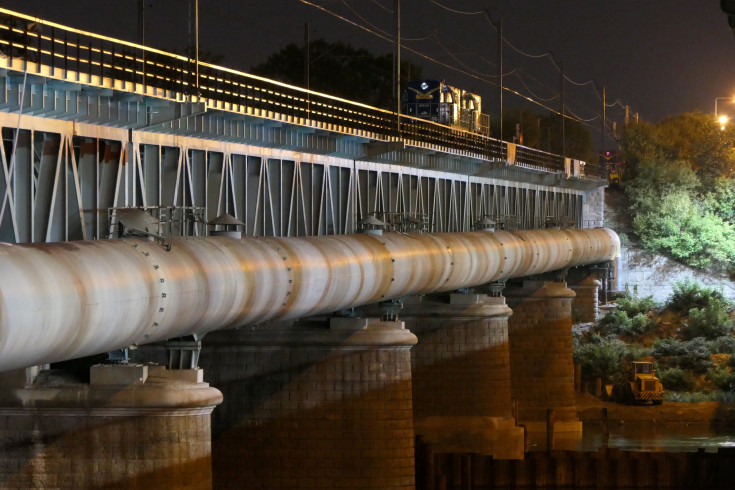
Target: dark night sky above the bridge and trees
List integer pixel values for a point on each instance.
(660, 57)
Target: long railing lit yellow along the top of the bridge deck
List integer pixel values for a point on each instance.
(120, 62)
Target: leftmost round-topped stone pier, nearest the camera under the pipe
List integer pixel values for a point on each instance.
(131, 426)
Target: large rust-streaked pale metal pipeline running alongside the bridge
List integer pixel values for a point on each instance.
(71, 299)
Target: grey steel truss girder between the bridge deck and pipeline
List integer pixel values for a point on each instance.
(62, 189)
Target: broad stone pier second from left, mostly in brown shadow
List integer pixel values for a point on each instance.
(317, 404)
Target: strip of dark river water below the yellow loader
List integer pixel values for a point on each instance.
(642, 437)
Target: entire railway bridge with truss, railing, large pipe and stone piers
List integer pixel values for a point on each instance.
(214, 280)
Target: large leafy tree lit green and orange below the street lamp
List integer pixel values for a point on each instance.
(681, 196)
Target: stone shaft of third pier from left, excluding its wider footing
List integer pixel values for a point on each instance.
(460, 365)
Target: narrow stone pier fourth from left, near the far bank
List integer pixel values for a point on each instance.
(541, 355)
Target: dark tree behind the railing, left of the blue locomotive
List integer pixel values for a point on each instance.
(339, 69)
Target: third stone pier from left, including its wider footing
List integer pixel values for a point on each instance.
(461, 374)
